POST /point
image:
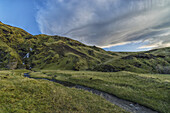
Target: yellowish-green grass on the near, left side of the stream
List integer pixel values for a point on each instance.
(24, 95)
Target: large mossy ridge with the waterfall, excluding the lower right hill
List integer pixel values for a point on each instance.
(46, 52)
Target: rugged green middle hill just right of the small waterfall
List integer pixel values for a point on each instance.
(54, 52)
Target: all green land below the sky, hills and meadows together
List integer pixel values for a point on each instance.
(142, 78)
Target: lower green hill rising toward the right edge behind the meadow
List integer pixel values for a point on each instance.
(154, 61)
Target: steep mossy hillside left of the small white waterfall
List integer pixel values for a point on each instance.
(11, 39)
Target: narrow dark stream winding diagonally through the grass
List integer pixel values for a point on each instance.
(127, 105)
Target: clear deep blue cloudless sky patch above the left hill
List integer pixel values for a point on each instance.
(20, 13)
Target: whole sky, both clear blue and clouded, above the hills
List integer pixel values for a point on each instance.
(115, 25)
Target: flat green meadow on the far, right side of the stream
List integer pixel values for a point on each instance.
(146, 89)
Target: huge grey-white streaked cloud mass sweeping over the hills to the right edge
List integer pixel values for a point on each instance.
(108, 22)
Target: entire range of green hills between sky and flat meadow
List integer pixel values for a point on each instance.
(19, 49)
